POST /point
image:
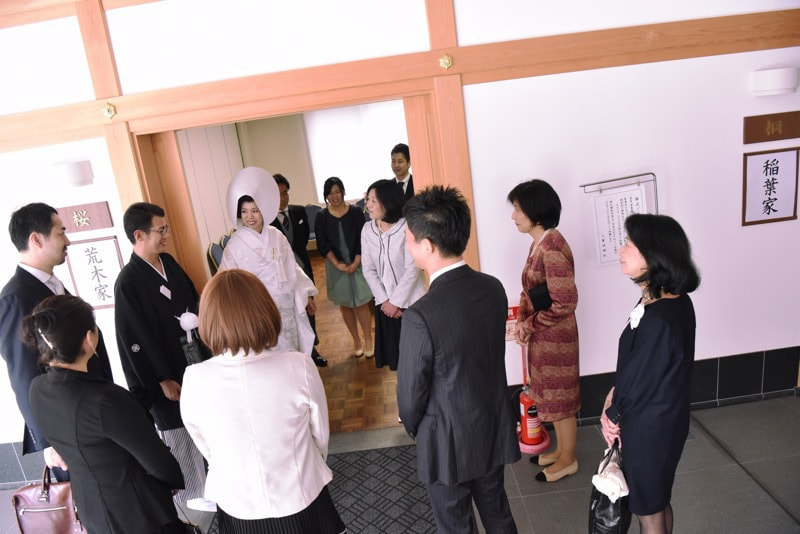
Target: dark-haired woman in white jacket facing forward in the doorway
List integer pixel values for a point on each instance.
(388, 268)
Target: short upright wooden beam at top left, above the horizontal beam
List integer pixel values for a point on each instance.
(97, 43)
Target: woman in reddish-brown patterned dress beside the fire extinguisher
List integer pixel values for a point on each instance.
(546, 322)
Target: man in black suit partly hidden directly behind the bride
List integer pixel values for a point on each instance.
(292, 221)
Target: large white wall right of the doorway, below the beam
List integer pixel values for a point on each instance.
(681, 120)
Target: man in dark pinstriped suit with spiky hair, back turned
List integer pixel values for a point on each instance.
(452, 390)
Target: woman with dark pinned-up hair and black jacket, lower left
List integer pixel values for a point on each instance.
(122, 474)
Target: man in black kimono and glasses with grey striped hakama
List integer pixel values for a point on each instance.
(151, 293)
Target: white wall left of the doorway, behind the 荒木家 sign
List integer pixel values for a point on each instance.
(29, 176)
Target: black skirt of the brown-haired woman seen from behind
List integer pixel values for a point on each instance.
(319, 517)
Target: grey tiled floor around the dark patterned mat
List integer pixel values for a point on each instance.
(740, 473)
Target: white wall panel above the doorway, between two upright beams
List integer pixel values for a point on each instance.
(195, 41)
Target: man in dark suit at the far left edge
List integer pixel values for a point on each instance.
(39, 235)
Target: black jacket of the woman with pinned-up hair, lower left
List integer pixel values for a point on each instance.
(121, 473)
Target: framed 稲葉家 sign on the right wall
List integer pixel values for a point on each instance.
(770, 186)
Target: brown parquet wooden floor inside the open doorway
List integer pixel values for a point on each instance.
(360, 396)
